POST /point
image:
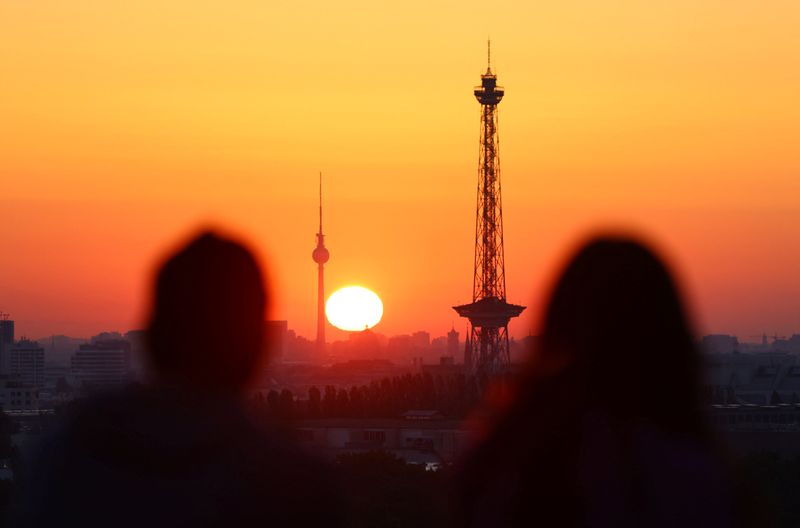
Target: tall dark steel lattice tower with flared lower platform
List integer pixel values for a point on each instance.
(487, 343)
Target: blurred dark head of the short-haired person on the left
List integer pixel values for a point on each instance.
(207, 323)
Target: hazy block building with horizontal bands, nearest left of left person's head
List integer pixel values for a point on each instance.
(102, 364)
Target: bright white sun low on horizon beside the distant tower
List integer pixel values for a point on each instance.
(354, 308)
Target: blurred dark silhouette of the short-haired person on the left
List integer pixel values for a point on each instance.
(182, 452)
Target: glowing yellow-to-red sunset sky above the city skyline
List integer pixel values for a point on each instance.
(124, 125)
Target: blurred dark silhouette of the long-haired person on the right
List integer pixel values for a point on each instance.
(606, 428)
